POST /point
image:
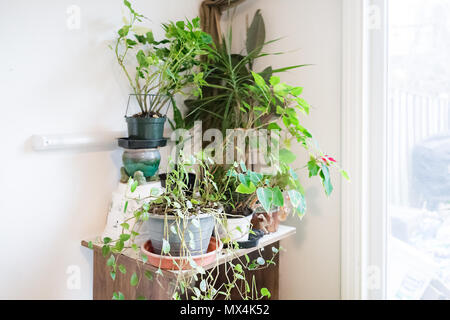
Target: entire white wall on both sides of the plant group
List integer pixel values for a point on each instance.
(55, 80)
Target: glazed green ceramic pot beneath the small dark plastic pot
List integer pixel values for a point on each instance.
(145, 160)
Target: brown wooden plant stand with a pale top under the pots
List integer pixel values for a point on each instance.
(161, 287)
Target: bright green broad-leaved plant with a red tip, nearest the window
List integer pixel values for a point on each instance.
(276, 104)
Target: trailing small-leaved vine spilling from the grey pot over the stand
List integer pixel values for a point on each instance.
(177, 200)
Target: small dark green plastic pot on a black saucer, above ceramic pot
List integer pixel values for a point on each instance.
(145, 128)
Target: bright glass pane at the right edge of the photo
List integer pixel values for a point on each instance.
(419, 150)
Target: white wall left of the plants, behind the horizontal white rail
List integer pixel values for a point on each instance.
(55, 80)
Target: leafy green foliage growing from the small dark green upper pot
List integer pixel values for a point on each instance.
(162, 68)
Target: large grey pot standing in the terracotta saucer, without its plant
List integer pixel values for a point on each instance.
(196, 230)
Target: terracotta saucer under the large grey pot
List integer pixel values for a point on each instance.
(177, 263)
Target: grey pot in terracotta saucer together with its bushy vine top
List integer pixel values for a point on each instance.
(181, 221)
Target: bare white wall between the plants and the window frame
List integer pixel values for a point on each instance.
(311, 31)
